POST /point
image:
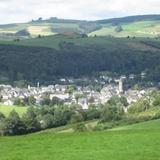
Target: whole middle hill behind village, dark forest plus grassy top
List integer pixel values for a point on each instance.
(60, 56)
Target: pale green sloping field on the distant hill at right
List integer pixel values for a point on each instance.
(139, 29)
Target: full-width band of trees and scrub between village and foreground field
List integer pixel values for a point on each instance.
(108, 115)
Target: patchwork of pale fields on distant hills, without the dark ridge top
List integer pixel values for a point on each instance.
(138, 28)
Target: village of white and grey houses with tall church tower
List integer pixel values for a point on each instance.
(70, 94)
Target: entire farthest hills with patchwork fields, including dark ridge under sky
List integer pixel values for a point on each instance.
(139, 26)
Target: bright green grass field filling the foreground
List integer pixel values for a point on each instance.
(141, 144)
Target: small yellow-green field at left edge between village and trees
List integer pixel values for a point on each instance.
(7, 109)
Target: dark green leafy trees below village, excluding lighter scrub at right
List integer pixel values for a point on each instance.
(51, 116)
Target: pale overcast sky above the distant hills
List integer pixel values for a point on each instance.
(25, 10)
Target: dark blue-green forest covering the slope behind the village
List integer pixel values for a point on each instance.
(33, 64)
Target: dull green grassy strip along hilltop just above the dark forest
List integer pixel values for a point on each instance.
(53, 42)
